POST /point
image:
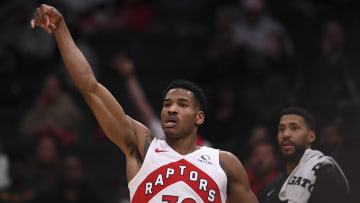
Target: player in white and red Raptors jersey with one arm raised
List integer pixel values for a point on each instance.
(173, 170)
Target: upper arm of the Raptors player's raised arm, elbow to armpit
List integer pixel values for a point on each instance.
(111, 117)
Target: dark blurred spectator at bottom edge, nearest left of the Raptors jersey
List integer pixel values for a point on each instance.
(74, 187)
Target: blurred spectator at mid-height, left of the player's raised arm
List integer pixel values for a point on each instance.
(53, 108)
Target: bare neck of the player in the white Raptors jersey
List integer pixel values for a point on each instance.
(184, 145)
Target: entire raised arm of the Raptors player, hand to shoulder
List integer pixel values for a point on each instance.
(121, 129)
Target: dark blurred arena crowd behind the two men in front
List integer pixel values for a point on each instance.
(252, 58)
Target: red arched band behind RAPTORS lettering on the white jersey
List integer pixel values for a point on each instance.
(140, 195)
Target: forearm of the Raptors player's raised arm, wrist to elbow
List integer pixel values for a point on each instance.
(75, 62)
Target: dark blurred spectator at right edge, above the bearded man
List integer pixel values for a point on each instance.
(329, 82)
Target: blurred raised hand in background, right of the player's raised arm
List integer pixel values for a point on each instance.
(123, 65)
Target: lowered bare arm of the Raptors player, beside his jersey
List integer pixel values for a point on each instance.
(238, 184)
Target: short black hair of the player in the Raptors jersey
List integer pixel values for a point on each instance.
(195, 89)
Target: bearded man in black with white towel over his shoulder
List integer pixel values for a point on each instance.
(309, 177)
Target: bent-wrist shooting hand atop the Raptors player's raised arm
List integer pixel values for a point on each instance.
(46, 17)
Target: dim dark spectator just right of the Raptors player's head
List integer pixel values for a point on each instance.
(224, 119)
